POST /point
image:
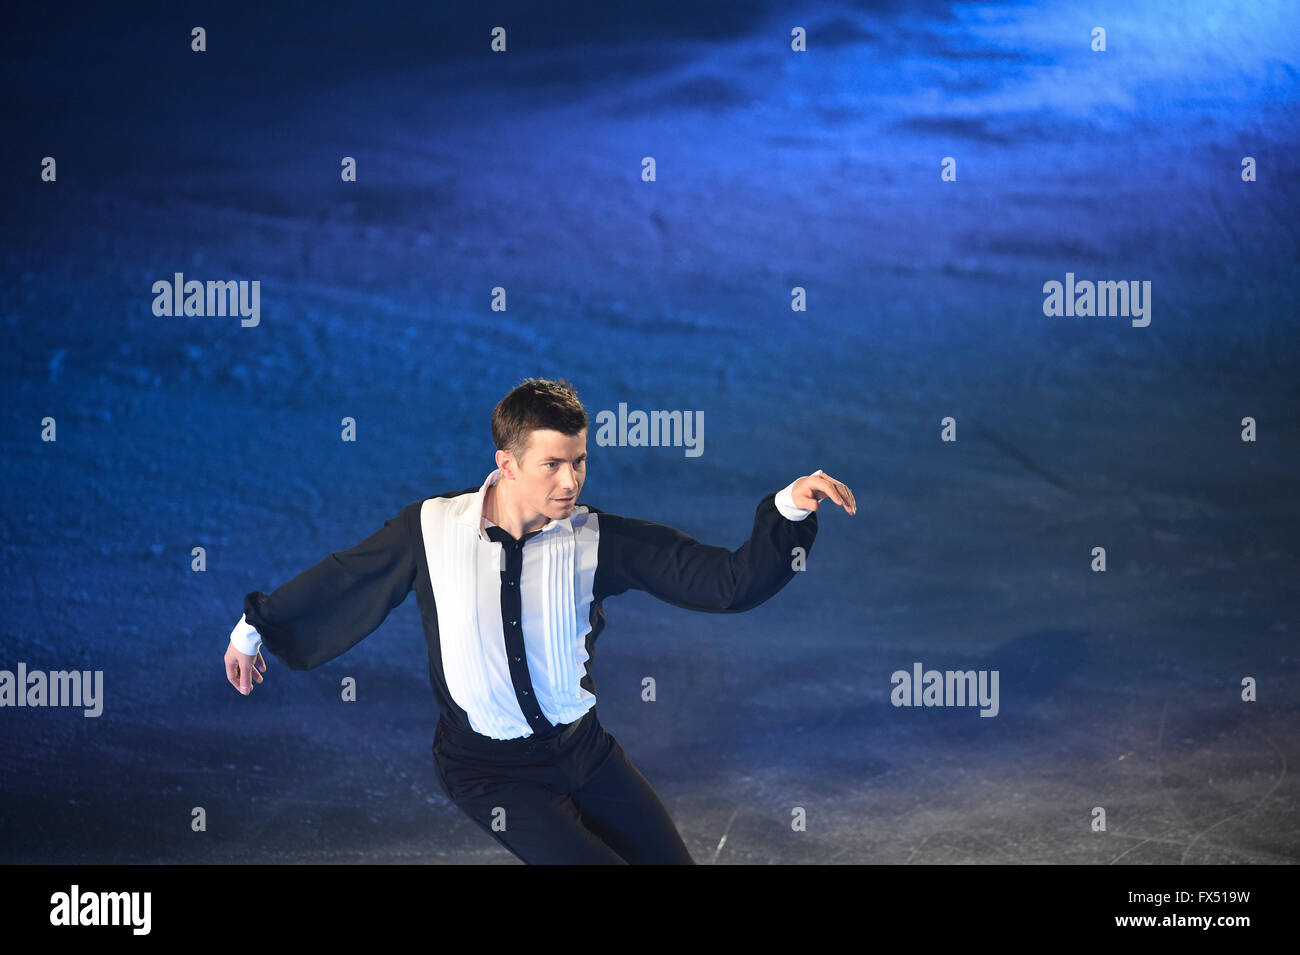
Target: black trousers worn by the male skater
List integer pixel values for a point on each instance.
(570, 798)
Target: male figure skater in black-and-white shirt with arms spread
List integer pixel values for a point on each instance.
(510, 578)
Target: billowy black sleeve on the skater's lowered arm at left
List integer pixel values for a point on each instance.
(331, 607)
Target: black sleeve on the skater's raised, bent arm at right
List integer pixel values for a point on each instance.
(681, 571)
